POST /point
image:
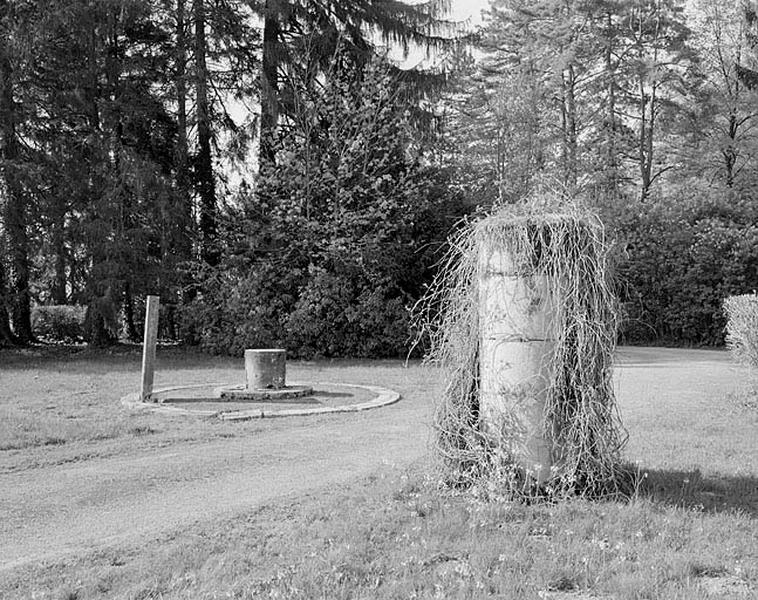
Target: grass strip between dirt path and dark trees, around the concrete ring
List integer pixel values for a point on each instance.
(59, 404)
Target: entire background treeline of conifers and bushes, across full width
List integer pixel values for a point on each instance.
(264, 168)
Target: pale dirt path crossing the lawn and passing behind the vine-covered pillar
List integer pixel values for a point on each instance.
(48, 512)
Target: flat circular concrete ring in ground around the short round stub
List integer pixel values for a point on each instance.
(384, 397)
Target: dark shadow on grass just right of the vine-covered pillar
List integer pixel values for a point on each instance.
(689, 489)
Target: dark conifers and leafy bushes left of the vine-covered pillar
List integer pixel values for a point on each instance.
(128, 140)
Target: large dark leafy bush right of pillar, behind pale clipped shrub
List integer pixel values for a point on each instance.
(679, 258)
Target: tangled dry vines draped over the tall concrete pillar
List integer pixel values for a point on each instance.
(567, 248)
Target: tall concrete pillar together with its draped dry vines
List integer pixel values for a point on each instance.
(523, 317)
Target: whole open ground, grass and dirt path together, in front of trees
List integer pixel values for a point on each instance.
(312, 530)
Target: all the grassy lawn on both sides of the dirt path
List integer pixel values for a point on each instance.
(689, 532)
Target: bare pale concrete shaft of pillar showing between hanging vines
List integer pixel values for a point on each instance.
(516, 346)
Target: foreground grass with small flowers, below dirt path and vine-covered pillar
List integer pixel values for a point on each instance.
(397, 536)
